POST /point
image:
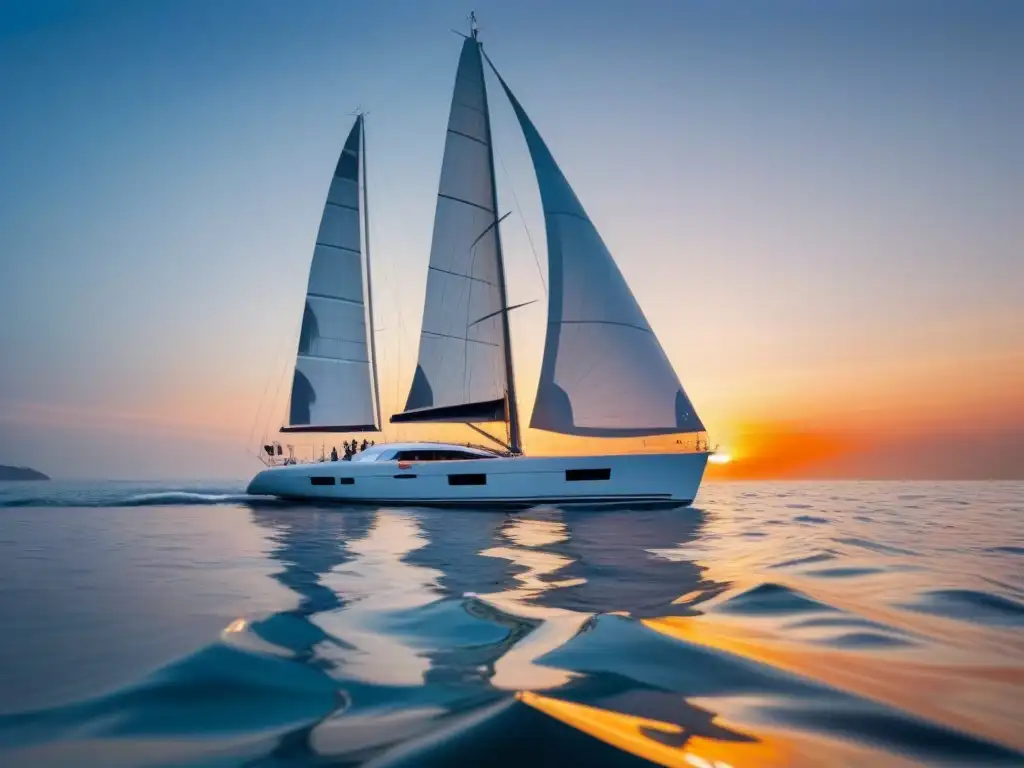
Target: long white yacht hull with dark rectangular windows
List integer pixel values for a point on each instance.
(647, 480)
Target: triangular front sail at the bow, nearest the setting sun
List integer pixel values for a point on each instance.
(604, 373)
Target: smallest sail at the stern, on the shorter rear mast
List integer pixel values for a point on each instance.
(333, 386)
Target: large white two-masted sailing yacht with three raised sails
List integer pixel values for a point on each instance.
(604, 373)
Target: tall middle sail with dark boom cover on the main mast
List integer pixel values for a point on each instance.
(460, 374)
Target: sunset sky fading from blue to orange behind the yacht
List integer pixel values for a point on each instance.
(820, 206)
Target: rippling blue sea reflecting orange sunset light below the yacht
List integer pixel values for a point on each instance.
(771, 625)
